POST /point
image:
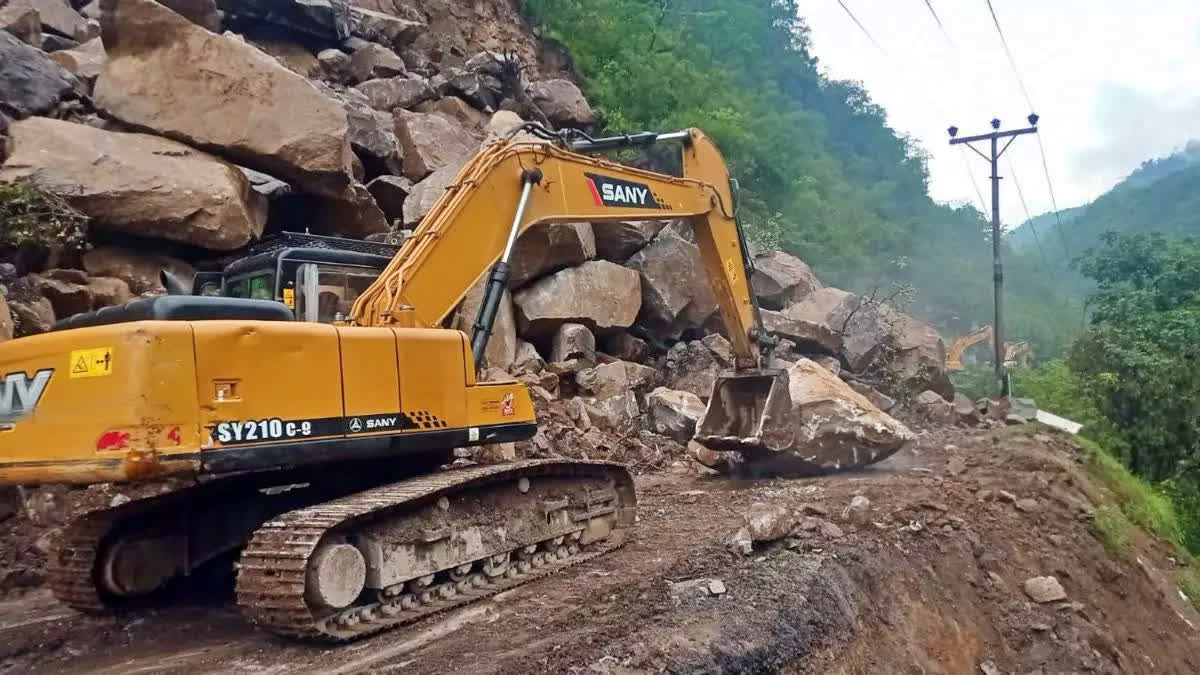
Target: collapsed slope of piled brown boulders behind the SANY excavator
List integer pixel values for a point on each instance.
(184, 130)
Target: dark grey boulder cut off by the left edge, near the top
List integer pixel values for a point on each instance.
(31, 83)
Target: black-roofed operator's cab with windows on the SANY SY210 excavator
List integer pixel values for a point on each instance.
(317, 278)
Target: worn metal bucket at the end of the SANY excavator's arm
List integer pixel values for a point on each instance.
(748, 411)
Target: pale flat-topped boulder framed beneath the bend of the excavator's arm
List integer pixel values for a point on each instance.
(601, 295)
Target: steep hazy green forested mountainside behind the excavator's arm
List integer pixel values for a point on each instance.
(823, 175)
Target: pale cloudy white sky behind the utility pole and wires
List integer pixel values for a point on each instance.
(1114, 82)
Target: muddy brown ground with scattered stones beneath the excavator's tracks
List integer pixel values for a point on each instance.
(932, 583)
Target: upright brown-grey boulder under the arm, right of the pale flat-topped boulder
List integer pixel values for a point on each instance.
(676, 291)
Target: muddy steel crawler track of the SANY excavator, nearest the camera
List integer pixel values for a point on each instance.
(274, 577)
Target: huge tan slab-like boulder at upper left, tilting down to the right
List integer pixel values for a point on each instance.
(171, 76)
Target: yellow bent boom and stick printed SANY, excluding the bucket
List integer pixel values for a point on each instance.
(512, 187)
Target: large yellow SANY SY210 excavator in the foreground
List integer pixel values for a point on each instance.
(293, 410)
